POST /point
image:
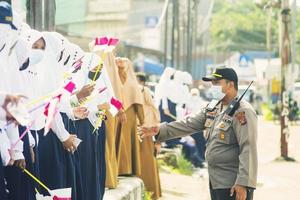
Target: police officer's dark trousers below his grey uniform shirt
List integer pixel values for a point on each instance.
(224, 194)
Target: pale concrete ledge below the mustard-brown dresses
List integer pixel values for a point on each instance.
(129, 188)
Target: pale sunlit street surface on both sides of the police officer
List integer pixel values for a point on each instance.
(277, 180)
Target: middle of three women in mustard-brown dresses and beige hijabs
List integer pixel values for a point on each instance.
(128, 147)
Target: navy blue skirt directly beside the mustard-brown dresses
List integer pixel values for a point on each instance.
(92, 159)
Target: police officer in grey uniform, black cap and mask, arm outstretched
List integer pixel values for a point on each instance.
(231, 148)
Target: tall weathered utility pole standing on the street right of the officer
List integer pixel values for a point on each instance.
(285, 60)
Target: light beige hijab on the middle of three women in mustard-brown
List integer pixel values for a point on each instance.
(131, 90)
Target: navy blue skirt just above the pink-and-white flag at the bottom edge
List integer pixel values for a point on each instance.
(57, 167)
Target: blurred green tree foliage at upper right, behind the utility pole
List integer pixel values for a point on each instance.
(240, 26)
